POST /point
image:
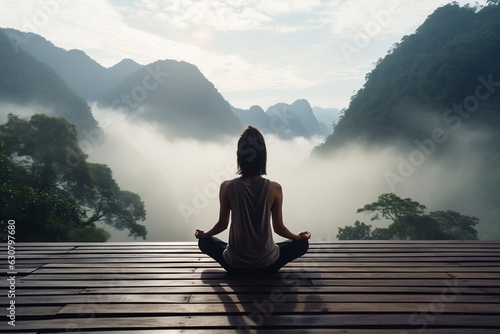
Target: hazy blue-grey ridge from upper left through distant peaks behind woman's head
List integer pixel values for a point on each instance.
(184, 104)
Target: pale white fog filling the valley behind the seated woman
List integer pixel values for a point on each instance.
(178, 180)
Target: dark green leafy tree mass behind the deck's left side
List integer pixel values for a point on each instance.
(50, 189)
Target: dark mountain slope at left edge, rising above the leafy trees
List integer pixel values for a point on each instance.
(24, 81)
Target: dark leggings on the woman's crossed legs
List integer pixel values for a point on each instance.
(289, 250)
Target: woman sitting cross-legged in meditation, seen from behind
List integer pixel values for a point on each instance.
(251, 201)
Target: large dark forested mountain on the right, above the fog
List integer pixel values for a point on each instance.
(441, 65)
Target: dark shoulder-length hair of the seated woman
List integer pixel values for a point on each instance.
(251, 153)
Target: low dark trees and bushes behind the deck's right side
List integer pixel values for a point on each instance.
(409, 221)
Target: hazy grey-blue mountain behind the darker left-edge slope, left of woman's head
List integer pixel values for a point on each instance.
(183, 101)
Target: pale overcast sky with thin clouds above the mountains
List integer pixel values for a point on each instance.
(254, 51)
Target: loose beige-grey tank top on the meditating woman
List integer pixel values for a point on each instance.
(251, 243)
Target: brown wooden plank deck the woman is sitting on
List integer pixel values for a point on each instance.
(341, 287)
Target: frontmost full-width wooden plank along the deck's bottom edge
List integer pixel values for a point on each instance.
(304, 321)
